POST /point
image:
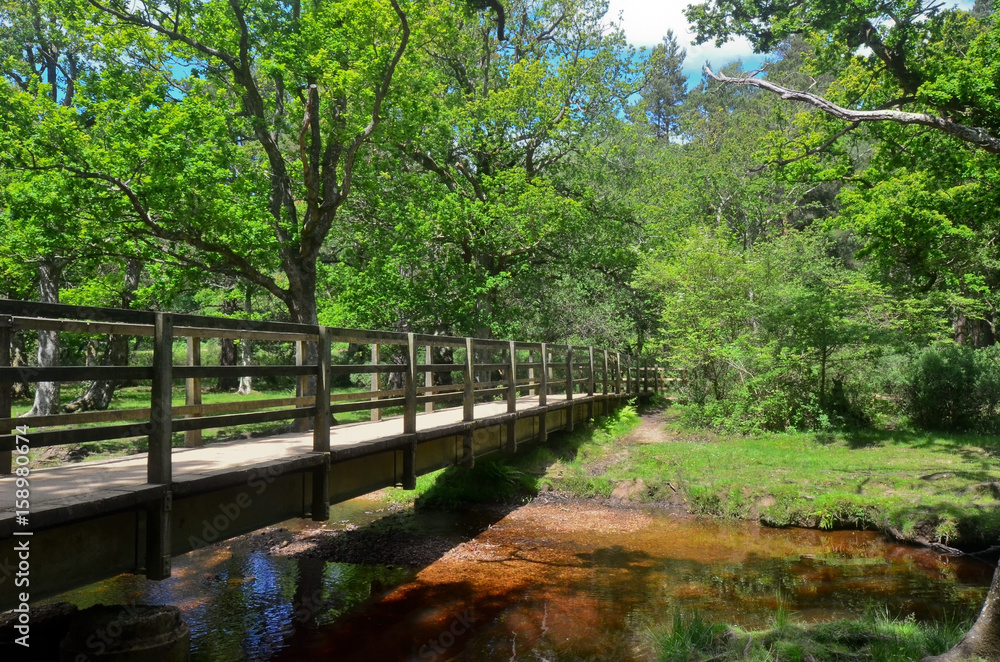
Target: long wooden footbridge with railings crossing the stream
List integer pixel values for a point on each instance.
(87, 521)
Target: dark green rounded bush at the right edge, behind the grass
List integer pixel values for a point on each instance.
(954, 388)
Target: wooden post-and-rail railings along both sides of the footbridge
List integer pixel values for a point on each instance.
(479, 370)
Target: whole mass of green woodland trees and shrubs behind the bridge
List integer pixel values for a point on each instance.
(516, 169)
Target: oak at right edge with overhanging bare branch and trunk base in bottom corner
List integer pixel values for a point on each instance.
(925, 85)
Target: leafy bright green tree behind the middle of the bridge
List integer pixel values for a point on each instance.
(478, 210)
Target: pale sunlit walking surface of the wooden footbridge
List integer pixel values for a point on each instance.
(96, 486)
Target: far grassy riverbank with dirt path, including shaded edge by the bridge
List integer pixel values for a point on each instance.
(937, 490)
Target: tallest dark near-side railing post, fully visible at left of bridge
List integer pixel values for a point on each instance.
(158, 461)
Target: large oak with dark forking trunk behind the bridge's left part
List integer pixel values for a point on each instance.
(264, 132)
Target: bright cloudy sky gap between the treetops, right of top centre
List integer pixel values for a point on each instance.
(645, 22)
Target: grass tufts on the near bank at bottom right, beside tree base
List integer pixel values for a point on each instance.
(875, 636)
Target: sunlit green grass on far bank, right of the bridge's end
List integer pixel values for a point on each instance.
(918, 484)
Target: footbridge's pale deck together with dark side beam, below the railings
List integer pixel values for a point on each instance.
(94, 520)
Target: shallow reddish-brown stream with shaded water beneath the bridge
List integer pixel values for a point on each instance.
(560, 580)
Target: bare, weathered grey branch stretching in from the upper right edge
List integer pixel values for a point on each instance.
(973, 135)
